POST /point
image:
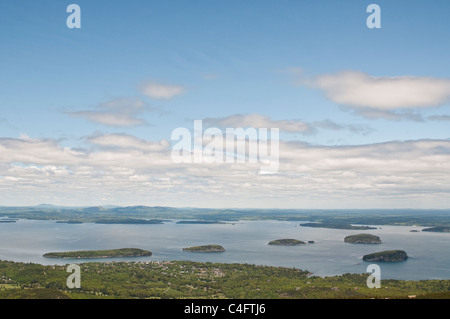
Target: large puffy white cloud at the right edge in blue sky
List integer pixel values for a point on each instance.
(372, 96)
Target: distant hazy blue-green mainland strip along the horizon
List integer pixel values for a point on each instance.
(399, 217)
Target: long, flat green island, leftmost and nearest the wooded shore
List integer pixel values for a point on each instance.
(121, 252)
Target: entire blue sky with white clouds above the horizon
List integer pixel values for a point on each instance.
(363, 114)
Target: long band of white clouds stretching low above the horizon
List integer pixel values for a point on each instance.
(123, 169)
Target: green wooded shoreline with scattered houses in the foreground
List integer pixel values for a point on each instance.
(187, 279)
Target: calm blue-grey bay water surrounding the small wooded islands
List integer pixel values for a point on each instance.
(244, 241)
